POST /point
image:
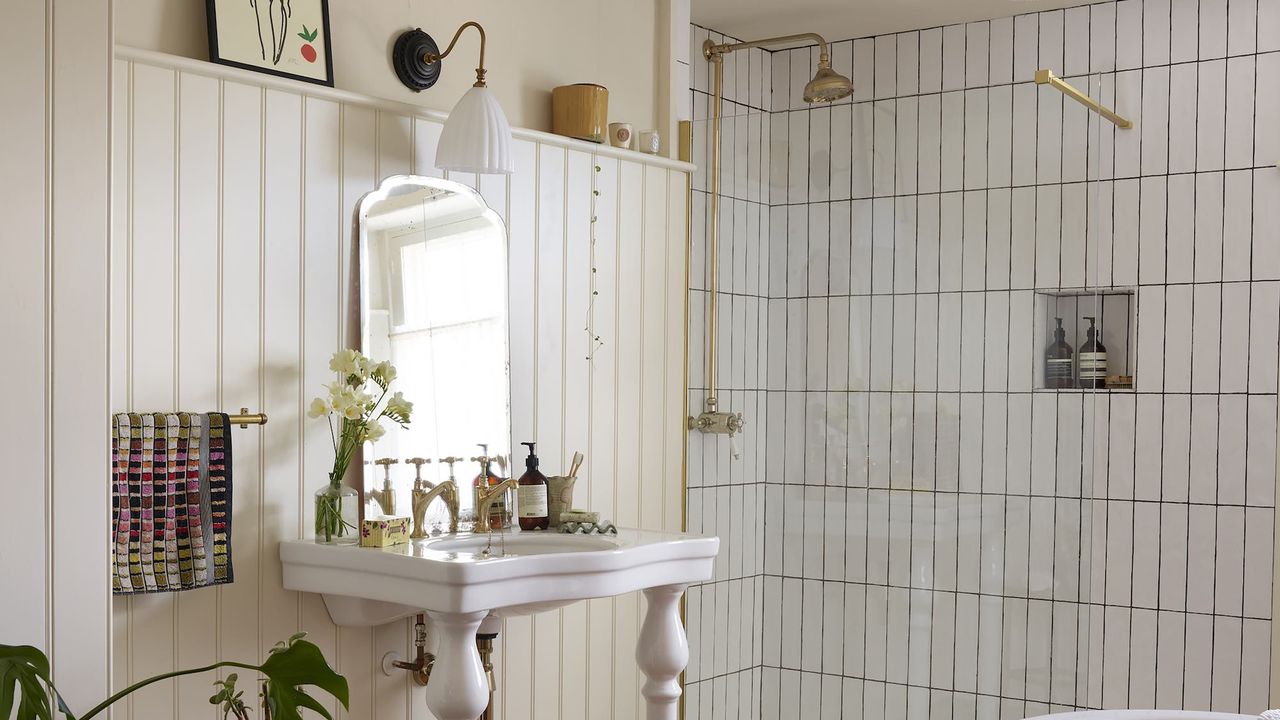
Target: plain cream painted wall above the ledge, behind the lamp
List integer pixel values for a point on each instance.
(533, 48)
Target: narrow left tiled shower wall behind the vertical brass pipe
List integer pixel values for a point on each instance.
(728, 479)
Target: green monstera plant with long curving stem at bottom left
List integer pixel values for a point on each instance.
(25, 683)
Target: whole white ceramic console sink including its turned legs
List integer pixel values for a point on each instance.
(460, 580)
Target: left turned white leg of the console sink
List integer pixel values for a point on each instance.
(459, 689)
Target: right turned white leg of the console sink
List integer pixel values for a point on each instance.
(662, 651)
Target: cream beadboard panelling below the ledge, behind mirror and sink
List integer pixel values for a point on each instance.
(244, 250)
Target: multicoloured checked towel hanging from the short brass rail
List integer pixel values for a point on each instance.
(171, 502)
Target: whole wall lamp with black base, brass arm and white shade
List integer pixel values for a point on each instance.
(477, 138)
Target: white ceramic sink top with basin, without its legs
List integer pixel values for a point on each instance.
(511, 573)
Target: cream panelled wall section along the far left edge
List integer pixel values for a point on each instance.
(57, 198)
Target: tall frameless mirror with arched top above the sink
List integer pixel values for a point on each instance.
(433, 291)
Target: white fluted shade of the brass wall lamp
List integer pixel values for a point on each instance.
(477, 138)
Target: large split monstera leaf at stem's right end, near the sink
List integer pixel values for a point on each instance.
(292, 666)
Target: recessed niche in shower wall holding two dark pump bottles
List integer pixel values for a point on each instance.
(1116, 313)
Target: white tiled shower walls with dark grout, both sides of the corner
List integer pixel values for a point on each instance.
(940, 539)
